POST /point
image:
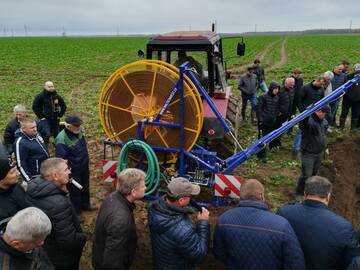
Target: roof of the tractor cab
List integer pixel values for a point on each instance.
(186, 37)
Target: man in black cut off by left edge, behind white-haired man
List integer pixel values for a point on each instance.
(12, 194)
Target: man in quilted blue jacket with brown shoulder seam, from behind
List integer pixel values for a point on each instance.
(251, 237)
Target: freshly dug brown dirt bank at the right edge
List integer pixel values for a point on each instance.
(344, 173)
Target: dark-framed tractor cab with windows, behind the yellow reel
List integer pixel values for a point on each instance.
(203, 50)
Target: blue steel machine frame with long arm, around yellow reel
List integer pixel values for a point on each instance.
(209, 160)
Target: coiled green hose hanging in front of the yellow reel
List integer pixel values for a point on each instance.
(152, 179)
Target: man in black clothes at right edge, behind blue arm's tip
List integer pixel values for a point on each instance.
(351, 100)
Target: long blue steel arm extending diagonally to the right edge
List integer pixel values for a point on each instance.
(234, 161)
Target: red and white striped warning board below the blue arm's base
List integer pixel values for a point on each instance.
(228, 185)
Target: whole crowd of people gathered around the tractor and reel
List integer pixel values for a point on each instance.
(41, 211)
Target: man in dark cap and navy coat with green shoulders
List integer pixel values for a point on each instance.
(70, 144)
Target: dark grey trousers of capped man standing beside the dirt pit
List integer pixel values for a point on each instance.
(310, 165)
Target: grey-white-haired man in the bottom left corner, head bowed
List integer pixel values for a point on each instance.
(20, 244)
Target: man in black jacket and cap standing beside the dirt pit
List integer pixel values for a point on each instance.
(313, 144)
